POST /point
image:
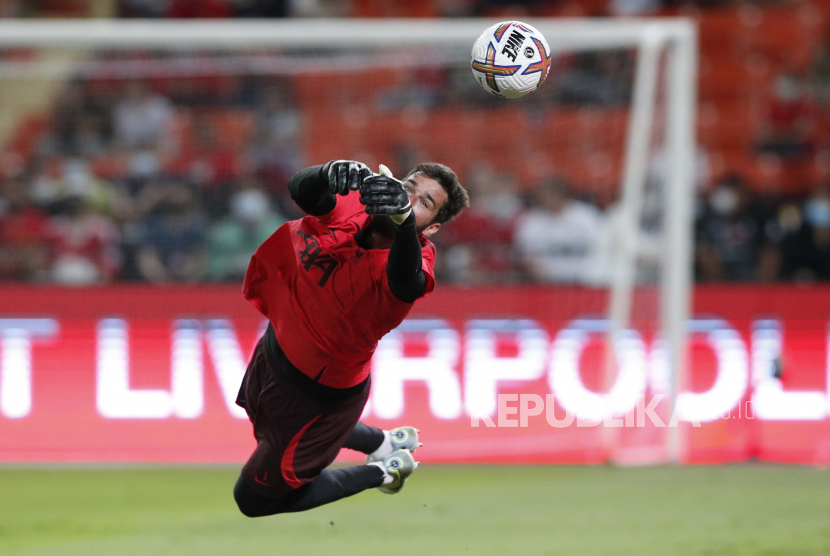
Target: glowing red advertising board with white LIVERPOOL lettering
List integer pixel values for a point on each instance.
(85, 376)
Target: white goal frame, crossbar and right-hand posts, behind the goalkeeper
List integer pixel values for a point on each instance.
(669, 41)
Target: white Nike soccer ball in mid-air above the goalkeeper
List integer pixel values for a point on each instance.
(511, 59)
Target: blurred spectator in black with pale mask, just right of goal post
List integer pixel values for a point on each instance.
(734, 242)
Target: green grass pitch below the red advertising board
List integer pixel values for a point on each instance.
(444, 510)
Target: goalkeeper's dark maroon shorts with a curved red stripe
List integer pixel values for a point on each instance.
(300, 425)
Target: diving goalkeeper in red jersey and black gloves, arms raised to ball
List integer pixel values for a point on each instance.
(332, 285)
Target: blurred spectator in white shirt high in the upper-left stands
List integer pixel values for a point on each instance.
(142, 118)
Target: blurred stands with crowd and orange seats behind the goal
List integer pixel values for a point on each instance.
(159, 177)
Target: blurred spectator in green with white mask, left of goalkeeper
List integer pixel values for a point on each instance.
(235, 238)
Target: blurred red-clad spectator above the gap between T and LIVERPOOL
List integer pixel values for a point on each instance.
(84, 244)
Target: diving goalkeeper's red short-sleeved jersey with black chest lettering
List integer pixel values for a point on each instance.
(327, 298)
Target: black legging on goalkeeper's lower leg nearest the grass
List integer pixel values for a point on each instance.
(330, 486)
